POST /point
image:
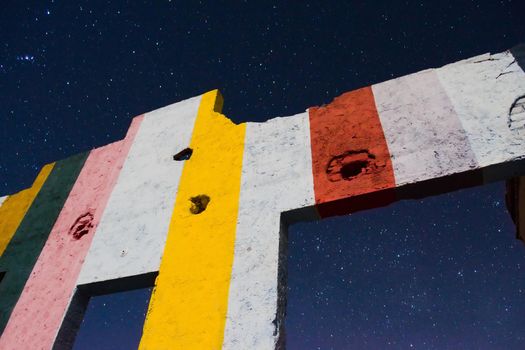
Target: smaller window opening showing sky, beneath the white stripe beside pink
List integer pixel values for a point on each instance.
(113, 321)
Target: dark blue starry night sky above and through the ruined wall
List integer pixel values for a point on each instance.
(430, 274)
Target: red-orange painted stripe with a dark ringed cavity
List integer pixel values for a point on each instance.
(351, 163)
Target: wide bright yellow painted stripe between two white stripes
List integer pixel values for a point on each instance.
(188, 306)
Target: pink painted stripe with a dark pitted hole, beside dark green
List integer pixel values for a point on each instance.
(39, 312)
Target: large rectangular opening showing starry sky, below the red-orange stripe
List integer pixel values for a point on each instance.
(438, 273)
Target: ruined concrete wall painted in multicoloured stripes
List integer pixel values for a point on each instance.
(198, 206)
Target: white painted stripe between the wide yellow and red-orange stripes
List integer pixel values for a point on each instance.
(276, 177)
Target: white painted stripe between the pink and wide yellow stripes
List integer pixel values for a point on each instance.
(131, 235)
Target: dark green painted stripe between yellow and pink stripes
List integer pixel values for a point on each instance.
(29, 239)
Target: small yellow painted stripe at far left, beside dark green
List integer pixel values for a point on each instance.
(15, 207)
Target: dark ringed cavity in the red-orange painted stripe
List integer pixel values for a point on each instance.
(349, 165)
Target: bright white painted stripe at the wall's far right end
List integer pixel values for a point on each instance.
(482, 90)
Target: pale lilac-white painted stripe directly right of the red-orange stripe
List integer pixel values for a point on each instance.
(425, 137)
